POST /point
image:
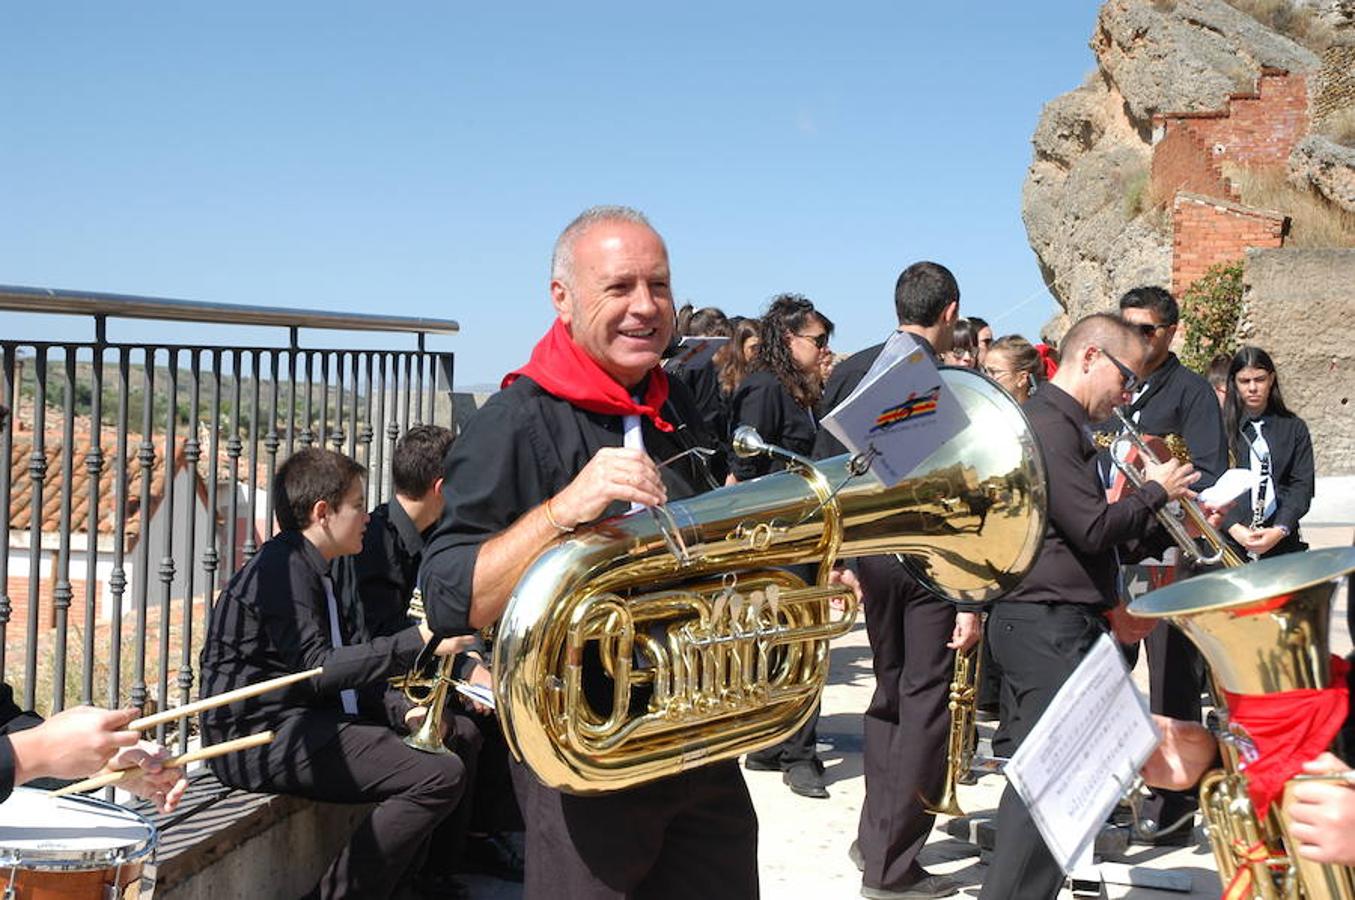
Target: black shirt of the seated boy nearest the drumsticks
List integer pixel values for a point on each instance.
(273, 619)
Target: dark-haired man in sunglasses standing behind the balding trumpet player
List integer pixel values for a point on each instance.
(1173, 401)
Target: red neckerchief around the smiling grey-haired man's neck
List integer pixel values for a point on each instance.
(564, 371)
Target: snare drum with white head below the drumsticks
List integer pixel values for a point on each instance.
(71, 848)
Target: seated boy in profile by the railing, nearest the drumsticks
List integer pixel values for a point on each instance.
(338, 735)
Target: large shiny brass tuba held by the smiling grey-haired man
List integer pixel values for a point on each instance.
(674, 636)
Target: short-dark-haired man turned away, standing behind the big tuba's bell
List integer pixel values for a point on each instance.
(913, 635)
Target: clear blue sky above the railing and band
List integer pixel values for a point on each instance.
(421, 158)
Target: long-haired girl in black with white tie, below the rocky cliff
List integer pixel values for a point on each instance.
(1270, 440)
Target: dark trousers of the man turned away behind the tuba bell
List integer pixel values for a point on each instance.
(907, 722)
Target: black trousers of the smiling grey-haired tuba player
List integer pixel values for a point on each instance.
(692, 836)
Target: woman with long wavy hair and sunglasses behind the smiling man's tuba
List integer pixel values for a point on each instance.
(778, 401)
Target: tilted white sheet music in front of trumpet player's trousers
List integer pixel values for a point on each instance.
(1083, 754)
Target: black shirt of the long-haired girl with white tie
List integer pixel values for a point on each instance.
(1292, 471)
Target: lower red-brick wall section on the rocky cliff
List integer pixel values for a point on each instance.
(1209, 231)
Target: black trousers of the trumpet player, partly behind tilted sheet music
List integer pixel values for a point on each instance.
(1037, 646)
